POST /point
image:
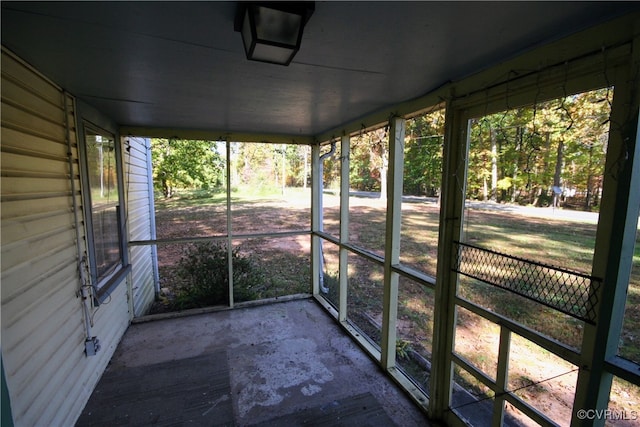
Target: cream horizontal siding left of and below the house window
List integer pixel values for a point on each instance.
(49, 377)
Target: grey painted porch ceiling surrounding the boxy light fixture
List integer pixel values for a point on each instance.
(181, 65)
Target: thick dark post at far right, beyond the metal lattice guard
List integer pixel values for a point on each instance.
(615, 241)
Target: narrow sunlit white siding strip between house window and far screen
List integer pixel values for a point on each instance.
(139, 209)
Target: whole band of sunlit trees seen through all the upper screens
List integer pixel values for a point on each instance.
(515, 155)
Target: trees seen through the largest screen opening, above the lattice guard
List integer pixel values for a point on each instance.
(517, 155)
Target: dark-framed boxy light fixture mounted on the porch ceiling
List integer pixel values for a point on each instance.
(272, 31)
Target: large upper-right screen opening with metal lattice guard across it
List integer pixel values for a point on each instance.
(533, 193)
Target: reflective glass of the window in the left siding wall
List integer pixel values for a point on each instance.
(103, 182)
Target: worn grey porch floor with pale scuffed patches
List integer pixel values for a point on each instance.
(283, 359)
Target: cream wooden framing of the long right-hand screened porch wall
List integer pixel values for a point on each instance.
(374, 327)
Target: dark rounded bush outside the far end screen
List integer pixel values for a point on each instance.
(204, 275)
